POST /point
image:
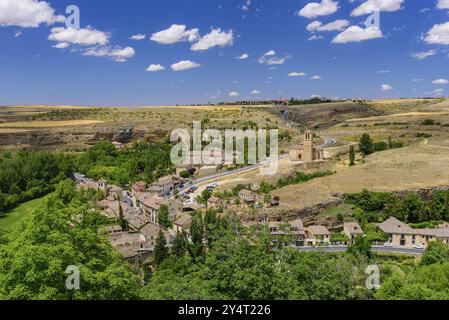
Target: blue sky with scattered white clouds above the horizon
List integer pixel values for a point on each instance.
(99, 64)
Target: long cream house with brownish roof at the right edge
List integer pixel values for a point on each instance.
(402, 235)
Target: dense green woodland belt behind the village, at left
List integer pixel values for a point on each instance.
(28, 175)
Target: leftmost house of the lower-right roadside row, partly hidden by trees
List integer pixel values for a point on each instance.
(282, 230)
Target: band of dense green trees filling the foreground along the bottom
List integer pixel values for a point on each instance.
(232, 262)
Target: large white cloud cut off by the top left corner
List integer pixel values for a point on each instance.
(27, 13)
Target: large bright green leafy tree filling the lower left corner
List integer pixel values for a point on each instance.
(56, 235)
